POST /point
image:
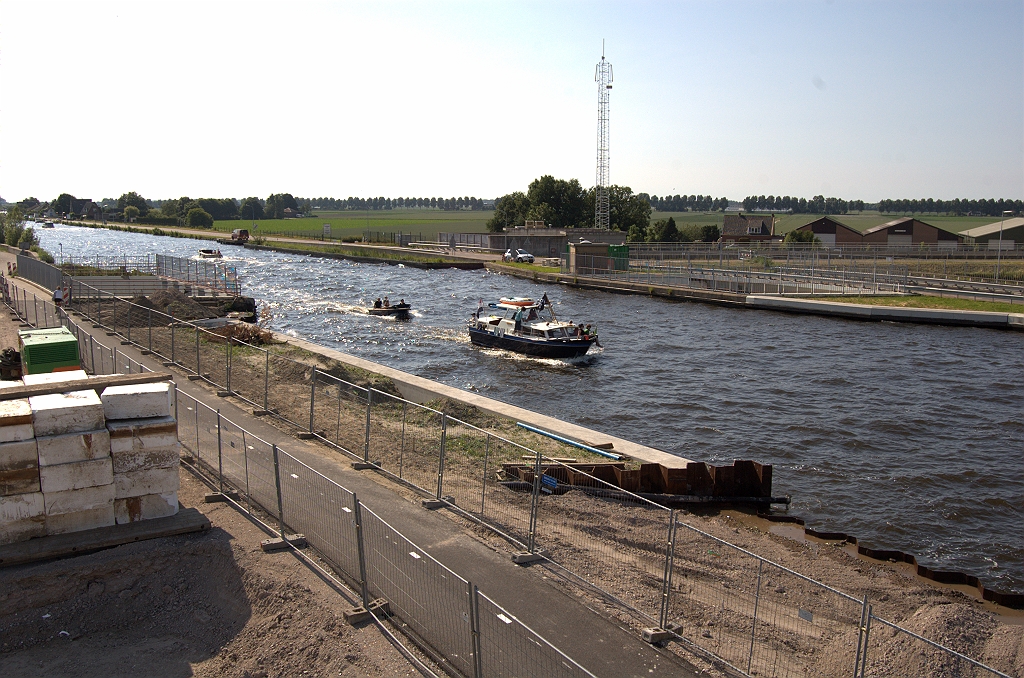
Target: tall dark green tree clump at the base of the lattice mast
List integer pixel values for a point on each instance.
(565, 204)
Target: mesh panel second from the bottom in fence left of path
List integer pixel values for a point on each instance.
(431, 599)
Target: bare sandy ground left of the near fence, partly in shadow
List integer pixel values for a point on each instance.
(204, 605)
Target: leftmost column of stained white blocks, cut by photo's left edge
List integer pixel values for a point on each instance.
(22, 508)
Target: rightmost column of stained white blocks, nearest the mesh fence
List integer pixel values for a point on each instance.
(145, 450)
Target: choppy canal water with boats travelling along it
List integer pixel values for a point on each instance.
(908, 437)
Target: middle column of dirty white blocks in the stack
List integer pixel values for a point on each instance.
(76, 473)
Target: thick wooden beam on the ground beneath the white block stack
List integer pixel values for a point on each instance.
(57, 546)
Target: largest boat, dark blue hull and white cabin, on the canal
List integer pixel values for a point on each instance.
(531, 328)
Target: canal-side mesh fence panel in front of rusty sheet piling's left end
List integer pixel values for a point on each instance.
(604, 534)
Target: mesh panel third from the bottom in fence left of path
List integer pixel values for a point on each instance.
(322, 511)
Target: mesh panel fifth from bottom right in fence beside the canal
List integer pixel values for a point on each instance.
(406, 439)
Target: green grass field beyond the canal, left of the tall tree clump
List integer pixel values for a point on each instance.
(353, 225)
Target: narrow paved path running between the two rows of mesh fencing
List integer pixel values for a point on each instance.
(596, 643)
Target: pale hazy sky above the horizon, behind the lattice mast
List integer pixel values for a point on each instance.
(216, 99)
